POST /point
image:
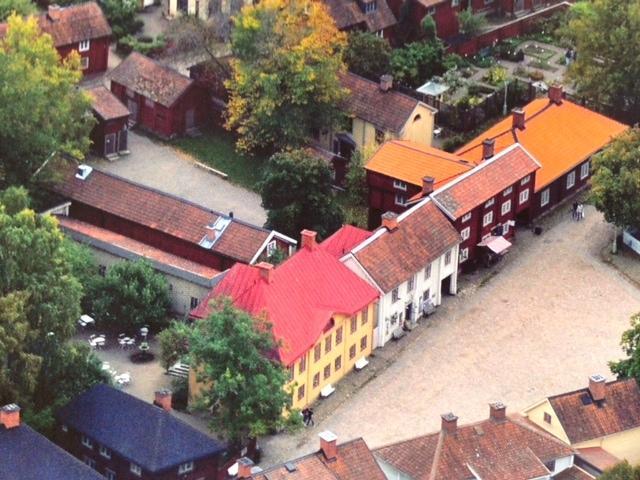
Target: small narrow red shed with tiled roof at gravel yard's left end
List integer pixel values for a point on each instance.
(110, 135)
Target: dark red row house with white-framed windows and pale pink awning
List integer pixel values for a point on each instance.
(484, 203)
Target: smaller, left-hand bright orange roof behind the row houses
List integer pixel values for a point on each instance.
(410, 162)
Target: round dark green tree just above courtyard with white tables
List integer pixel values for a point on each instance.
(130, 296)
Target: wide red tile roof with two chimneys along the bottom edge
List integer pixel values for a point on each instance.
(492, 450)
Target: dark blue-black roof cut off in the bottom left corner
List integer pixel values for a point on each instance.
(27, 455)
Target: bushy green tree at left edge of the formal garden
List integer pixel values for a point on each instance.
(416, 62)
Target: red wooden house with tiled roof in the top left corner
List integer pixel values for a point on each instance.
(82, 28)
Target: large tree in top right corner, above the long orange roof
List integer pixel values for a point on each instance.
(607, 67)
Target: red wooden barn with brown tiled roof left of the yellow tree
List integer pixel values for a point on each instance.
(159, 98)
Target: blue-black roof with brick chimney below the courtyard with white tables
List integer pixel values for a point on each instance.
(138, 431)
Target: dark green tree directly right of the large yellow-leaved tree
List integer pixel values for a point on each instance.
(367, 55)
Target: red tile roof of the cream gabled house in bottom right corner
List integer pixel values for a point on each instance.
(620, 411)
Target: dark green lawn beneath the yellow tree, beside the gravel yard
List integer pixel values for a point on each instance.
(216, 148)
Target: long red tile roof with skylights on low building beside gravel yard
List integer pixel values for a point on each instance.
(160, 211)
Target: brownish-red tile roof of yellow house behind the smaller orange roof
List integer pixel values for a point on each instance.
(388, 111)
